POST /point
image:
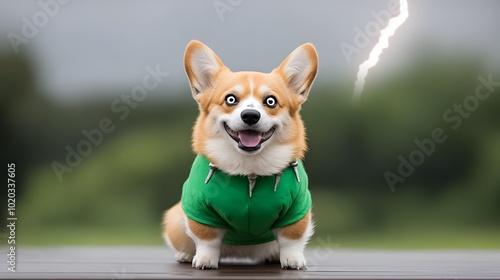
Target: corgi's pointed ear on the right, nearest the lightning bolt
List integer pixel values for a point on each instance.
(299, 70)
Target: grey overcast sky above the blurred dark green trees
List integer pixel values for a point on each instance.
(90, 45)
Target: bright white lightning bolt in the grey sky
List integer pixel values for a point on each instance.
(383, 43)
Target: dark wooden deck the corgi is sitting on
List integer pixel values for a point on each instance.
(158, 263)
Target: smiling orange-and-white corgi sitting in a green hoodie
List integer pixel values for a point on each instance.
(246, 195)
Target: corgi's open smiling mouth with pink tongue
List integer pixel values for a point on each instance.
(249, 140)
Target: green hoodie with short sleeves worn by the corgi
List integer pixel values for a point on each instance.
(224, 202)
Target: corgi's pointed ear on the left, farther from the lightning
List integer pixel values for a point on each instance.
(202, 66)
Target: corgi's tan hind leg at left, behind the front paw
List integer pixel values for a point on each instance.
(174, 232)
